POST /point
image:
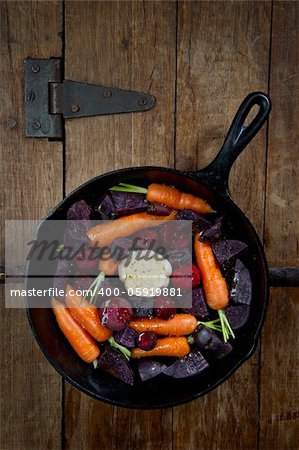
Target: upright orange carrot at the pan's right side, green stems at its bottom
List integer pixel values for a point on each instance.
(214, 284)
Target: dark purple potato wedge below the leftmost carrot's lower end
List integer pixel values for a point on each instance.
(113, 362)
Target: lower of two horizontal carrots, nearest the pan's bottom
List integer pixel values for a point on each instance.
(169, 346)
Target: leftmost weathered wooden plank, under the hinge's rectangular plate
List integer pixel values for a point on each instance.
(31, 389)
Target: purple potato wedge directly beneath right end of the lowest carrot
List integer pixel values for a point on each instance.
(192, 364)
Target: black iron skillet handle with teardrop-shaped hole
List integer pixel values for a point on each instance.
(216, 174)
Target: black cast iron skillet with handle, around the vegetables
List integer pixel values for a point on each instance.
(210, 183)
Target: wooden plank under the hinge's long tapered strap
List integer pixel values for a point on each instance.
(129, 45)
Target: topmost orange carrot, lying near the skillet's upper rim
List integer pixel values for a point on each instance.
(172, 197)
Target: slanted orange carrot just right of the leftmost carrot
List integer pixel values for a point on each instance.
(87, 314)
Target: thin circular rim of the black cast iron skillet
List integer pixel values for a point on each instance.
(193, 176)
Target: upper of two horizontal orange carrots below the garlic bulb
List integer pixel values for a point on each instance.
(178, 325)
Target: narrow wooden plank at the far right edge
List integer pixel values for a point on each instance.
(279, 413)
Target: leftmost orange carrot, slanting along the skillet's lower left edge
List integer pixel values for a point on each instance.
(83, 344)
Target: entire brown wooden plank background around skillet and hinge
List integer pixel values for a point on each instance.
(199, 59)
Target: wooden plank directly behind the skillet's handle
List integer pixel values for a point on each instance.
(223, 50)
